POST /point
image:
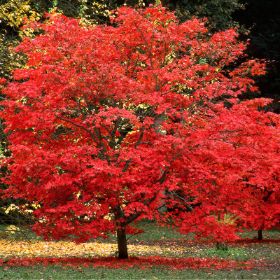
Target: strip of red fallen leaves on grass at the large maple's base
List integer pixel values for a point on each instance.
(143, 263)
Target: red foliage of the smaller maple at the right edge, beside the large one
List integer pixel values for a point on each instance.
(237, 154)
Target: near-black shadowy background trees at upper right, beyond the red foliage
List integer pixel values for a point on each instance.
(262, 19)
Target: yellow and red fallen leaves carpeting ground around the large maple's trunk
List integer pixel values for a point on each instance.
(97, 254)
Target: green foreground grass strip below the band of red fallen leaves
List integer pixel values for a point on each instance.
(54, 272)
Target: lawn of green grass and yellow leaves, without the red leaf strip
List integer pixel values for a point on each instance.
(157, 241)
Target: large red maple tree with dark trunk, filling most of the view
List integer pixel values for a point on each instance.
(109, 125)
